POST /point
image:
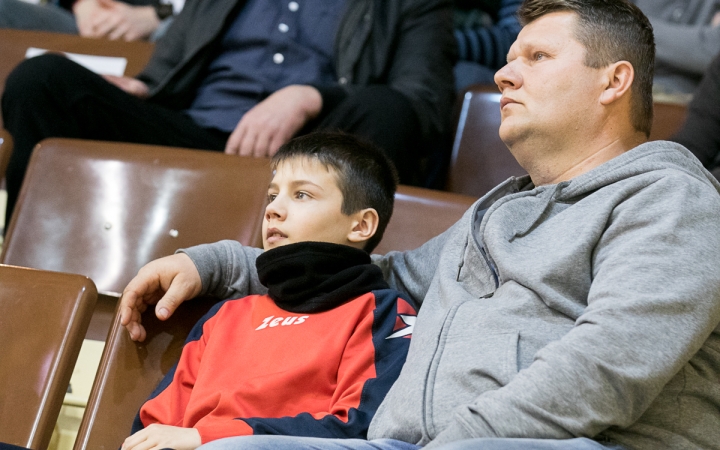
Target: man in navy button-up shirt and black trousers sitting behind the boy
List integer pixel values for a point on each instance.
(244, 76)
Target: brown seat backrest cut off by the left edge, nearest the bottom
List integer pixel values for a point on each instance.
(43, 318)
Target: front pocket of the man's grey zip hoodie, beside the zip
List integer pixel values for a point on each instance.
(472, 362)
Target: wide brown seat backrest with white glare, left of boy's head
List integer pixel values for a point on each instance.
(106, 209)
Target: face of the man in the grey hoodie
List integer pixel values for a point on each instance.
(547, 89)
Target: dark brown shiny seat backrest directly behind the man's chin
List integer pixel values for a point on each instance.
(479, 160)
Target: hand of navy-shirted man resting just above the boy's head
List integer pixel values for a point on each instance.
(274, 121)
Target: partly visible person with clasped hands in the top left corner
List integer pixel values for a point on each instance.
(129, 20)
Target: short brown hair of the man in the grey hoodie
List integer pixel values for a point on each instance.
(610, 31)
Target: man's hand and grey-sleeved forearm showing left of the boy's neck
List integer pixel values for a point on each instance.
(225, 269)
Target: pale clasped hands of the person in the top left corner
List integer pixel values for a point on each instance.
(115, 20)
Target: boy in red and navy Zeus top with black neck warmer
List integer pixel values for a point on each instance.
(318, 353)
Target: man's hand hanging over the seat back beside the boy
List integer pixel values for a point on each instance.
(167, 281)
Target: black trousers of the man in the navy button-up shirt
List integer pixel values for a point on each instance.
(51, 96)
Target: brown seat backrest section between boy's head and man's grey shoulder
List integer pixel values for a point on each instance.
(419, 215)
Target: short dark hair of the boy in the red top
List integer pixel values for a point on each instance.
(366, 176)
